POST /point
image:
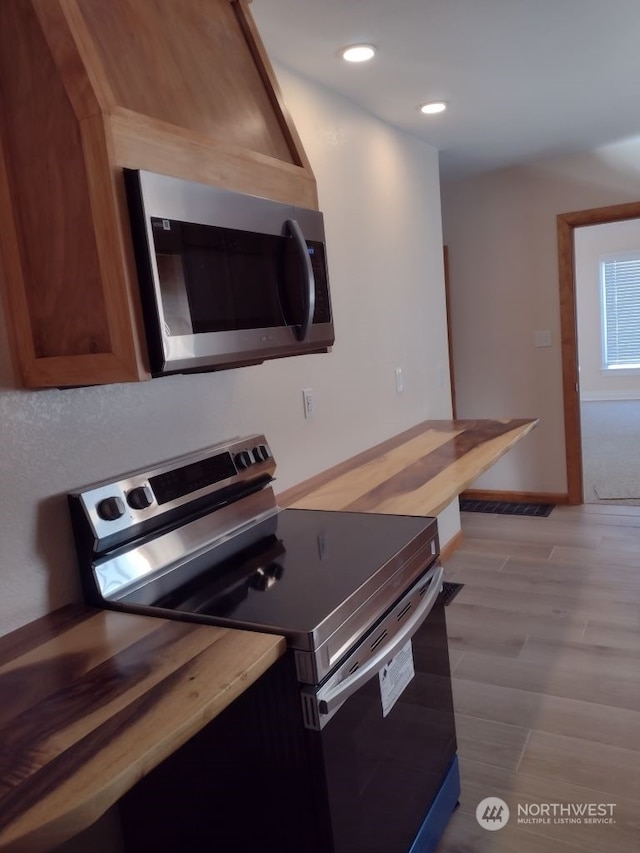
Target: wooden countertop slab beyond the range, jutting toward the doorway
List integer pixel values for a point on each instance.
(417, 472)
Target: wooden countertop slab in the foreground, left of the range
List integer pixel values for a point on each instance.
(90, 701)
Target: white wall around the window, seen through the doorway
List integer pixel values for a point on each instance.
(592, 242)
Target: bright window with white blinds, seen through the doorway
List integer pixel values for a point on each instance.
(620, 283)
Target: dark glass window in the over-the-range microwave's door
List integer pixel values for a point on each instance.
(219, 279)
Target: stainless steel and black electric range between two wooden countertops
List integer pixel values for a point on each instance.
(347, 744)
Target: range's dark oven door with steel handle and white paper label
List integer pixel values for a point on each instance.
(385, 730)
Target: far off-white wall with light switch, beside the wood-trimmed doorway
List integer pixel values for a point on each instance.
(501, 232)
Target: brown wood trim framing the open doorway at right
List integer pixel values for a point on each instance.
(566, 224)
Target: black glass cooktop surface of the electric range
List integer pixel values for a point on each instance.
(300, 572)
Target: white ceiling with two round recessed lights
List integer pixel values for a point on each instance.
(524, 79)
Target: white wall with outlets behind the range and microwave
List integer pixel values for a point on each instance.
(380, 194)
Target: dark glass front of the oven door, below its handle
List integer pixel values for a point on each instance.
(383, 772)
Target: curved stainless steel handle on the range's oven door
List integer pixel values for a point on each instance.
(339, 694)
